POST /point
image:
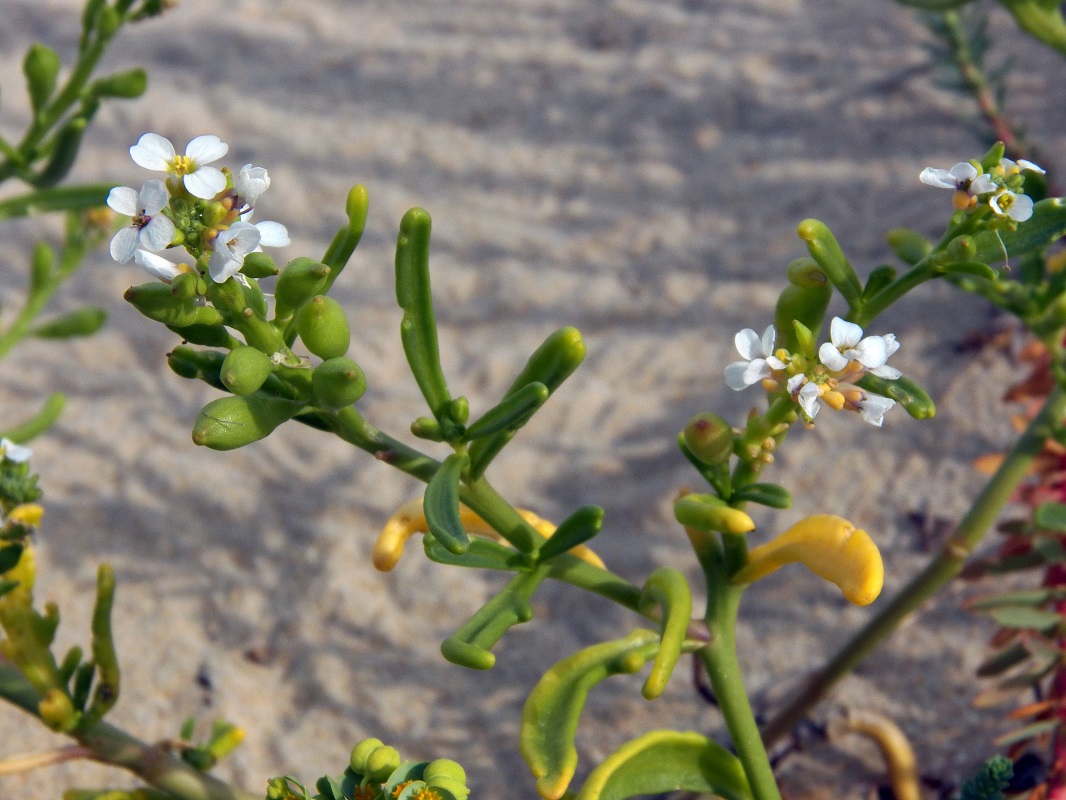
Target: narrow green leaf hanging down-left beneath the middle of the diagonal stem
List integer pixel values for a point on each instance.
(472, 645)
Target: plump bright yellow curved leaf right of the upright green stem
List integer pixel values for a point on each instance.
(831, 548)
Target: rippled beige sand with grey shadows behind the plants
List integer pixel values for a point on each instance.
(634, 168)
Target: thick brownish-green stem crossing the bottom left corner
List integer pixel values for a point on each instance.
(112, 746)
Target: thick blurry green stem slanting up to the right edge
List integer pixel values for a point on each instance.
(942, 570)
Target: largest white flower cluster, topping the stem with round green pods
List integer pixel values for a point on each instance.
(211, 195)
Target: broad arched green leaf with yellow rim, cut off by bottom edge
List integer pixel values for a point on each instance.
(668, 761)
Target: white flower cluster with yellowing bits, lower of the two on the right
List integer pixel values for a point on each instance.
(843, 361)
